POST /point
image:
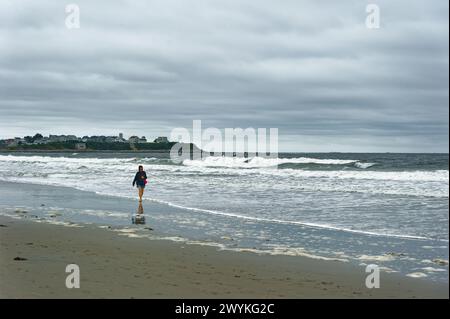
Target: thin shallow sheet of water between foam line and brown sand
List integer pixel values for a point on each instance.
(409, 256)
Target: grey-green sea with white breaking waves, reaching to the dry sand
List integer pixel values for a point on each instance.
(386, 209)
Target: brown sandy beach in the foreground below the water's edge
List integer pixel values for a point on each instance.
(33, 258)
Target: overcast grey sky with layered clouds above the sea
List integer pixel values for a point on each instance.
(312, 69)
